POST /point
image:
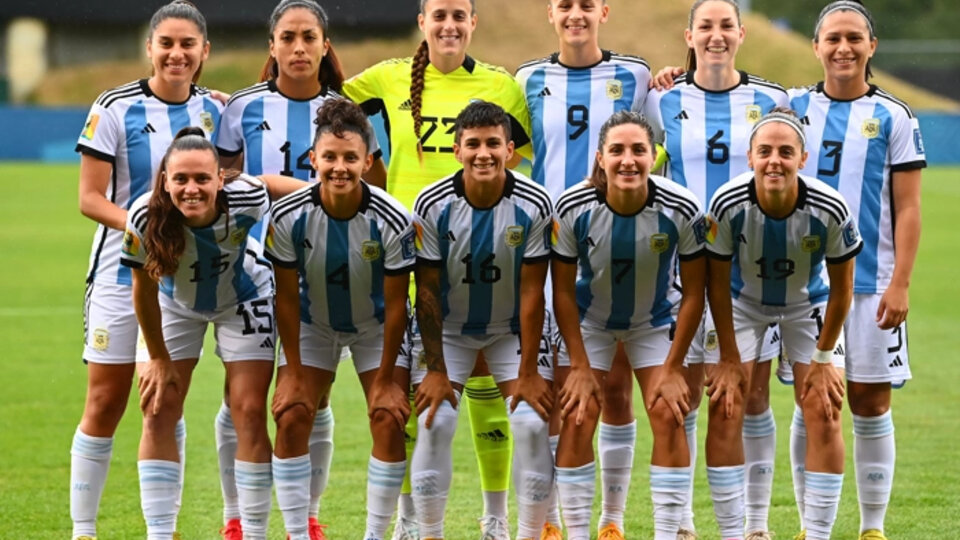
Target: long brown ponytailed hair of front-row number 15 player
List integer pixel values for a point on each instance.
(163, 238)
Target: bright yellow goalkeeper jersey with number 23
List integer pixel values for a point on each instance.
(385, 88)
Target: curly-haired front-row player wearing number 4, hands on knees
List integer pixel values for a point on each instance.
(342, 254)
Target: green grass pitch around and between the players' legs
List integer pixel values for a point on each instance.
(45, 243)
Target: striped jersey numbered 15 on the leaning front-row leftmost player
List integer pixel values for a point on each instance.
(219, 267)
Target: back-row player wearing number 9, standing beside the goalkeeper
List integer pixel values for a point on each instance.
(570, 94)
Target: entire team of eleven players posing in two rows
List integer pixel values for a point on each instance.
(524, 246)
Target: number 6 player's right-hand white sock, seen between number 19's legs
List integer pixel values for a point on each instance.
(759, 450)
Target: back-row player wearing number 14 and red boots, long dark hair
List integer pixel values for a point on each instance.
(268, 129)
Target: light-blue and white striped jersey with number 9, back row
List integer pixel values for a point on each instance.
(569, 105)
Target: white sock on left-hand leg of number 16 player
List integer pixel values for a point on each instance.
(431, 469)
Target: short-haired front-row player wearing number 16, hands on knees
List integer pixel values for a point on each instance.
(483, 234)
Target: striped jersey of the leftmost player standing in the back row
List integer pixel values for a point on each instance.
(131, 128)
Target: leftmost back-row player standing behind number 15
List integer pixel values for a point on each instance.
(126, 134)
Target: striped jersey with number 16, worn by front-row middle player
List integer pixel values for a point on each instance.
(480, 250)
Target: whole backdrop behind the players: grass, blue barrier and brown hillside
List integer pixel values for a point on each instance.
(57, 56)
